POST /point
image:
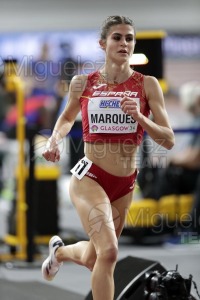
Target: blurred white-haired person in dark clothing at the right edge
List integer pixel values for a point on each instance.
(180, 176)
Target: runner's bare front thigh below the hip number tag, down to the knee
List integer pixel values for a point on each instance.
(94, 209)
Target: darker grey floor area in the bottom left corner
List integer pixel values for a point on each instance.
(10, 290)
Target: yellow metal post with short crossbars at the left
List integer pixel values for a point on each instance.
(23, 240)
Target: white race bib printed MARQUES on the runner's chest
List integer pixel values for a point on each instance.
(105, 116)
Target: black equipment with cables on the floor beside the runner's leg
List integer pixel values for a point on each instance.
(143, 279)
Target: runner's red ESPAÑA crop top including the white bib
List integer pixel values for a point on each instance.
(102, 118)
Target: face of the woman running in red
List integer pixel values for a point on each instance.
(120, 43)
